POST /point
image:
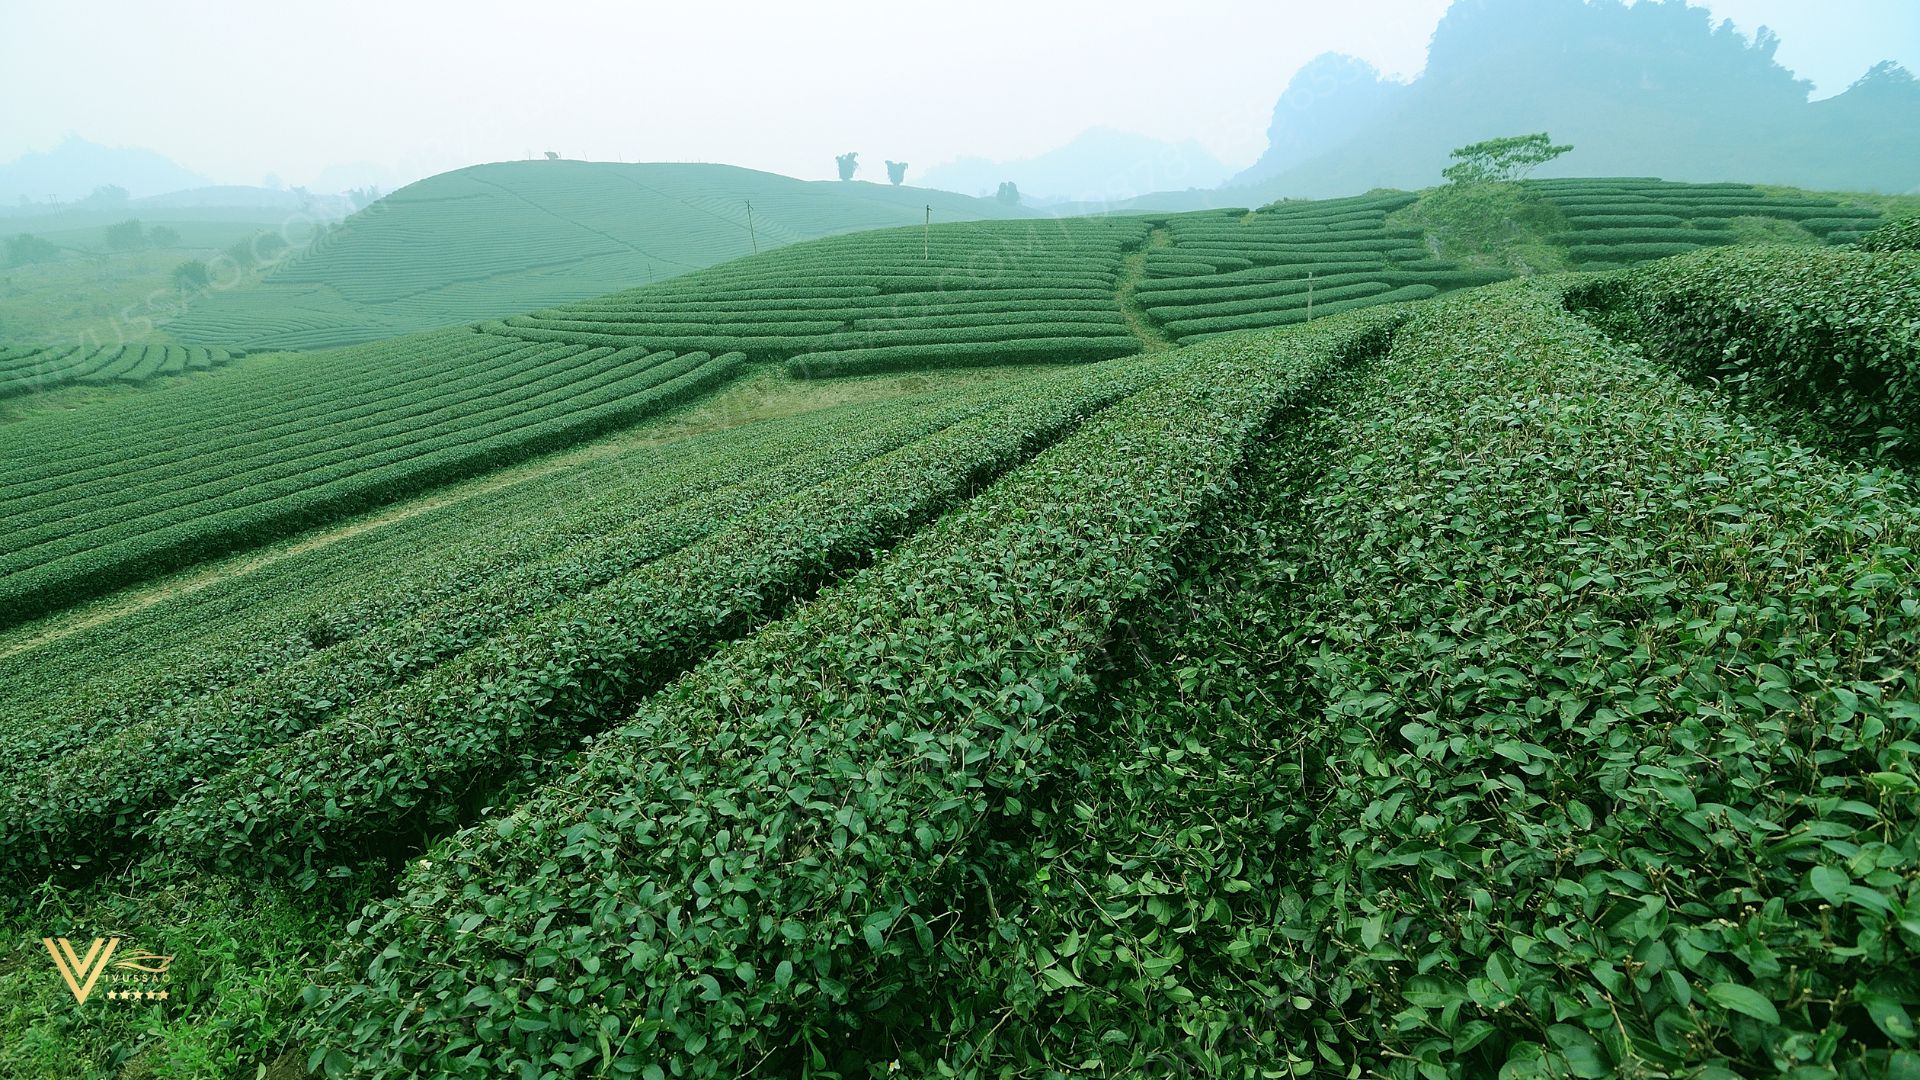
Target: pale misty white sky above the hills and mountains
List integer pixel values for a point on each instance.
(239, 89)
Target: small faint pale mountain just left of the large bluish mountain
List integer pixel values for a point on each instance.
(1099, 166)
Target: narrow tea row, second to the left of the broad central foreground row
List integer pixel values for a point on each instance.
(95, 787)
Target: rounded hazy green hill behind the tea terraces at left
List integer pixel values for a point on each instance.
(502, 239)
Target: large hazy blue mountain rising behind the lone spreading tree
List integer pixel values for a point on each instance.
(1646, 89)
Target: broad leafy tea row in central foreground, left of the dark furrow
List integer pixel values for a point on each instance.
(773, 850)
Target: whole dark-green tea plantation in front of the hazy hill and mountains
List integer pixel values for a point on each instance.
(1009, 649)
